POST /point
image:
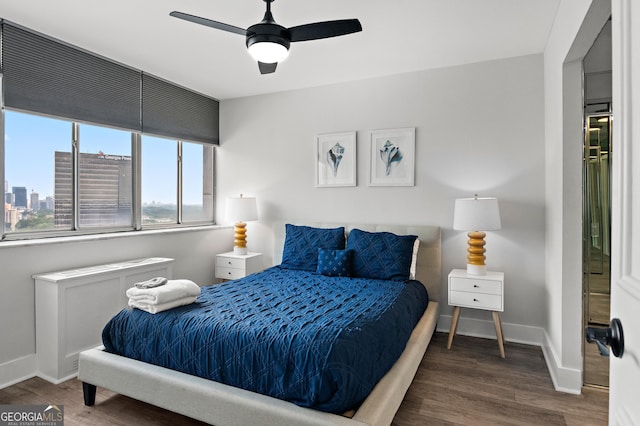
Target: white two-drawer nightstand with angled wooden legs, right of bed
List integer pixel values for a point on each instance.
(478, 292)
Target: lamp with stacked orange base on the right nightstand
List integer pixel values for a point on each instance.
(476, 215)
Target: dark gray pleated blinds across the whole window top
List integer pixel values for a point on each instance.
(45, 76)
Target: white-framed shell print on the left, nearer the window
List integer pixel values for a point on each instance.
(336, 159)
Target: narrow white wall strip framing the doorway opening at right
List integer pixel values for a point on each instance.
(577, 25)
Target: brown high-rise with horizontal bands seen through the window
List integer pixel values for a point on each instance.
(105, 190)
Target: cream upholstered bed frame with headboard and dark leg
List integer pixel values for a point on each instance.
(220, 404)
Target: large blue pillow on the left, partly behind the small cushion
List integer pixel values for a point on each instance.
(301, 245)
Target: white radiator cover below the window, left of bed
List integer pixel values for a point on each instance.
(73, 306)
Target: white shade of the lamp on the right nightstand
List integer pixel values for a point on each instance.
(476, 214)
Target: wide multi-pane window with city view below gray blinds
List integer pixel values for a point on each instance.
(40, 178)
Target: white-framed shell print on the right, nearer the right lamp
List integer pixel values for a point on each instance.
(392, 157)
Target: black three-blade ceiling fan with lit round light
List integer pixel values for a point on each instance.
(268, 42)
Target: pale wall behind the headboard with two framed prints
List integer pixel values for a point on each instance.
(479, 129)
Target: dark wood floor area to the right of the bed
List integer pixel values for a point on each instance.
(471, 385)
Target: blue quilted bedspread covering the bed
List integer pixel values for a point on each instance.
(319, 342)
